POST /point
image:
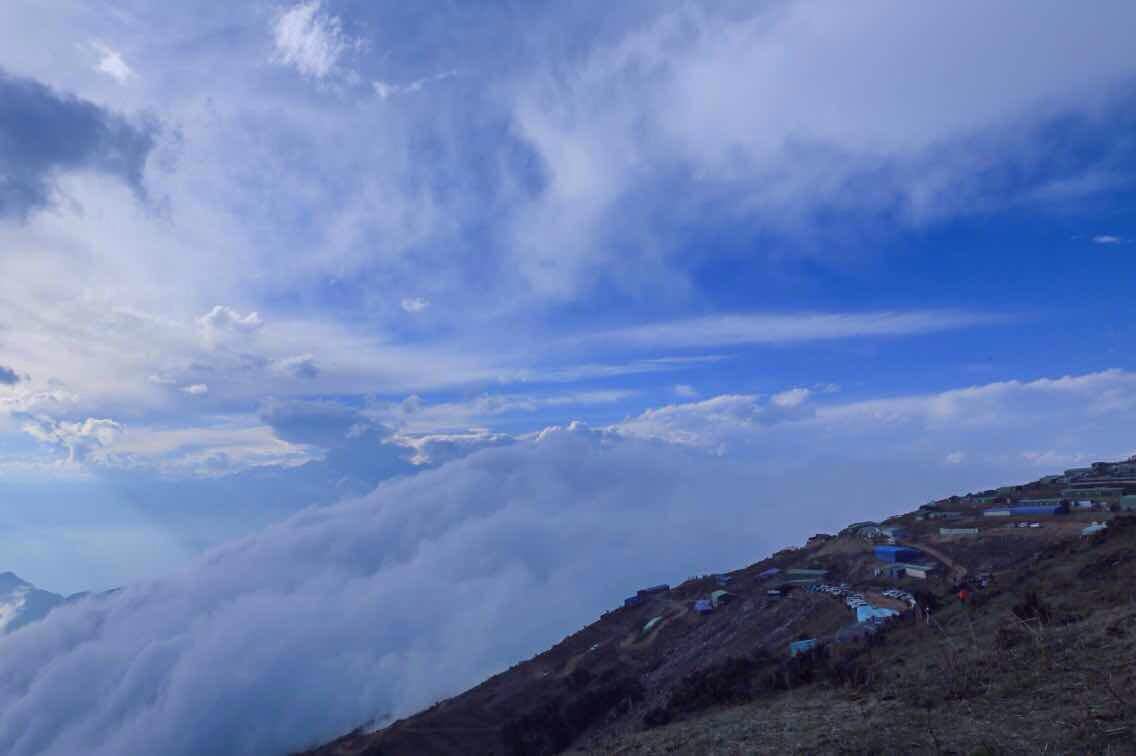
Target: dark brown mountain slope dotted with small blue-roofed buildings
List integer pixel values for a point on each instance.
(653, 676)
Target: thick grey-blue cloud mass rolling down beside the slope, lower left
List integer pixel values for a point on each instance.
(491, 542)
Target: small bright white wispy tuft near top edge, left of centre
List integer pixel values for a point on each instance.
(310, 40)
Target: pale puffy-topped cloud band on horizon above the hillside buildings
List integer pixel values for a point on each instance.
(999, 426)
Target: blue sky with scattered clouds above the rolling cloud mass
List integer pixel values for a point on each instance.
(262, 256)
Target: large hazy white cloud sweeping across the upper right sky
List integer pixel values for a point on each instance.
(797, 109)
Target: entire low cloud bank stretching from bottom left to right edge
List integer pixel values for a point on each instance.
(385, 604)
